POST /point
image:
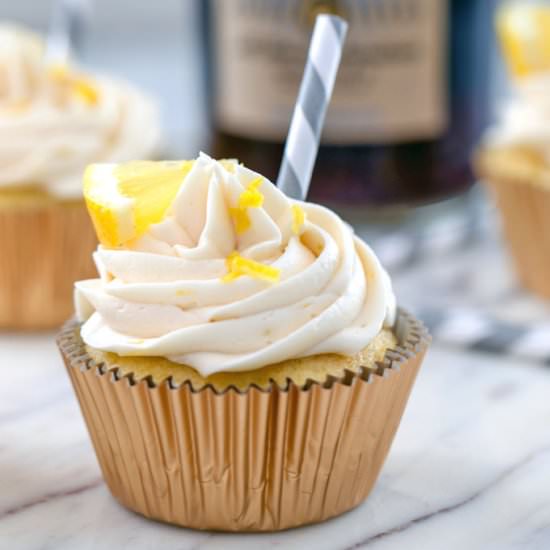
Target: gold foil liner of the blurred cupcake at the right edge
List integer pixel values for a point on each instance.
(522, 195)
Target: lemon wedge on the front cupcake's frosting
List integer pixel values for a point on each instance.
(125, 199)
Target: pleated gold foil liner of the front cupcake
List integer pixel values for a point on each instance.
(254, 460)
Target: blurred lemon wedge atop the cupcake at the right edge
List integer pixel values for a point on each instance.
(524, 32)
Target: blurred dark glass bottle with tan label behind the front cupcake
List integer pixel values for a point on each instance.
(409, 103)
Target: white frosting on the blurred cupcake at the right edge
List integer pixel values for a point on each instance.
(524, 119)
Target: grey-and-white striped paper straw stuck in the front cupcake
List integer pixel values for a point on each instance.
(308, 118)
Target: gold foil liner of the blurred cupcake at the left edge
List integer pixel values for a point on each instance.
(43, 251)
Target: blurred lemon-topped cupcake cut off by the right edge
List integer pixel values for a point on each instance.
(514, 158)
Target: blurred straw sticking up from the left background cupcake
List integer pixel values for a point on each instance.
(67, 24)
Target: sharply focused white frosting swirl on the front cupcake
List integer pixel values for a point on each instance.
(165, 295)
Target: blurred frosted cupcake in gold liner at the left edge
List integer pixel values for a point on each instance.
(54, 120)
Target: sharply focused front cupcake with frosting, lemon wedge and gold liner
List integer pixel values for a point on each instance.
(240, 362)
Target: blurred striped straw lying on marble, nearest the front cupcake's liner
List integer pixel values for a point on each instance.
(473, 330)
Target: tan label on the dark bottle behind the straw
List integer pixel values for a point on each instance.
(391, 85)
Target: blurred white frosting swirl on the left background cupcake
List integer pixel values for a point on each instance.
(49, 131)
